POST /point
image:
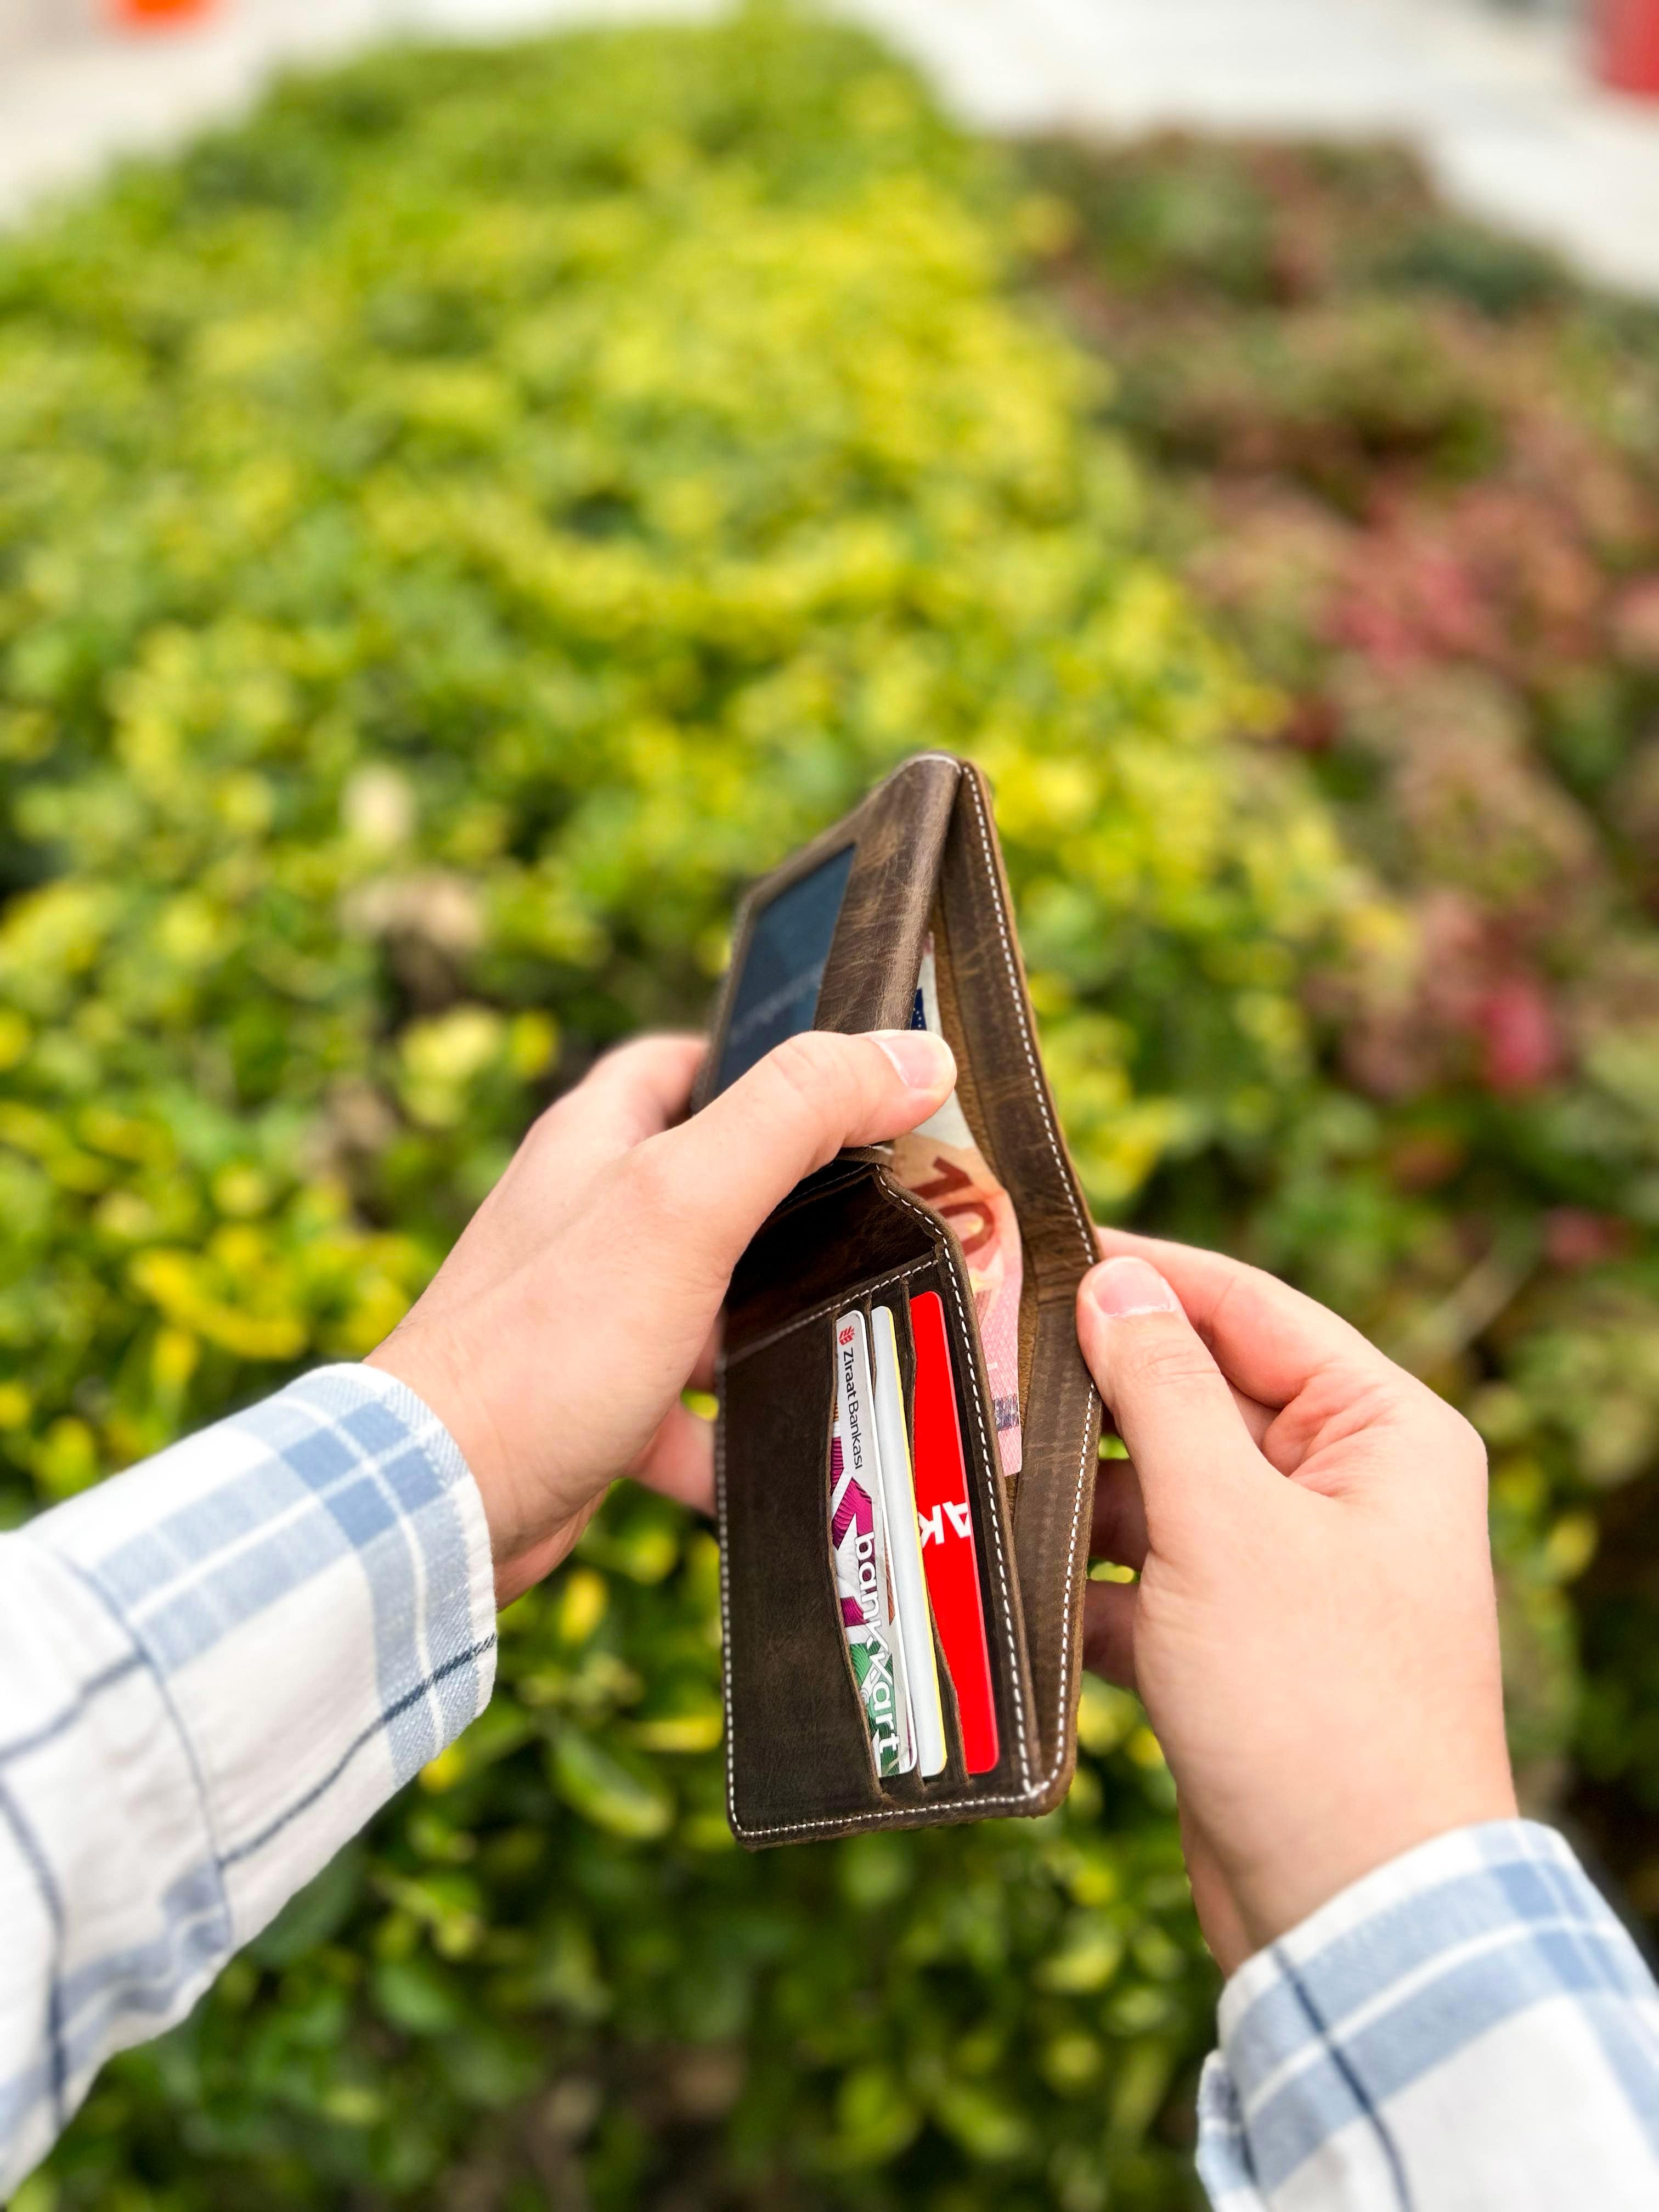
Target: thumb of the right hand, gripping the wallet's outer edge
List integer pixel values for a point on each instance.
(1171, 1404)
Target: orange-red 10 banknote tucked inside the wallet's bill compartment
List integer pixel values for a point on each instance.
(943, 1167)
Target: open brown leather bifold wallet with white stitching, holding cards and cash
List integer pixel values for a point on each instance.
(899, 917)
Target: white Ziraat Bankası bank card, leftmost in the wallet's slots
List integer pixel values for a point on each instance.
(864, 1572)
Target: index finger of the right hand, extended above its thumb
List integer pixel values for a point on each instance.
(1266, 1337)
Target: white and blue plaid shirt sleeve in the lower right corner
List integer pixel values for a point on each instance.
(1463, 2030)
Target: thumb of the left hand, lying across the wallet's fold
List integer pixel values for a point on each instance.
(791, 1114)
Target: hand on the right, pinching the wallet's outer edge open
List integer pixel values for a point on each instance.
(1315, 1631)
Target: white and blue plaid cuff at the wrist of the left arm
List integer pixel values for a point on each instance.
(313, 1592)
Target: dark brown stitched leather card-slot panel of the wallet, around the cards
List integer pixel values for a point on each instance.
(800, 1753)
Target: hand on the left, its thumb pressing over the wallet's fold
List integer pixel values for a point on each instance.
(581, 1302)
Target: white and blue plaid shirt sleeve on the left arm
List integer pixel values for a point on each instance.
(213, 1669)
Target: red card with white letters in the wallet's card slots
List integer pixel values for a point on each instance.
(950, 1556)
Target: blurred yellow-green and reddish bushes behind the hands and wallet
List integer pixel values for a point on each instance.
(459, 528)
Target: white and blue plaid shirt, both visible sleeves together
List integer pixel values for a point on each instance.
(220, 1665)
